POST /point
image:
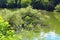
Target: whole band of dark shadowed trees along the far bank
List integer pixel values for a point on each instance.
(36, 4)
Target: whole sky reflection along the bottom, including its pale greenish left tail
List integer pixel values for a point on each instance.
(44, 36)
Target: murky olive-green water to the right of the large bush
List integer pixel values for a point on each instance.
(55, 21)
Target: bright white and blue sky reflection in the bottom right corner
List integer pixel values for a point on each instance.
(49, 36)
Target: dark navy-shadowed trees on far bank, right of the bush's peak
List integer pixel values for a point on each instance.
(45, 4)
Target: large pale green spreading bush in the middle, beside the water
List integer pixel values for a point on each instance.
(24, 18)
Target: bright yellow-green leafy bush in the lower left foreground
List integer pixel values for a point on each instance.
(6, 33)
